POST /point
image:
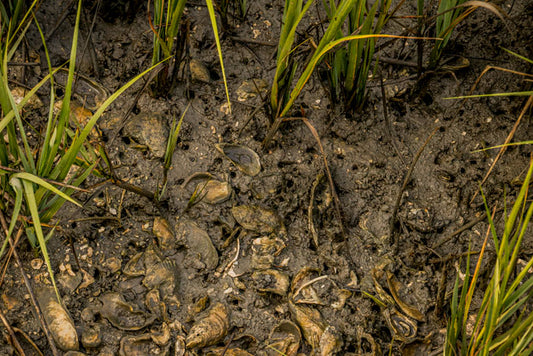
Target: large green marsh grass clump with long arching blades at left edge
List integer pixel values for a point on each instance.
(39, 175)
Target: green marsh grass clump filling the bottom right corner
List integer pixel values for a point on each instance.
(503, 324)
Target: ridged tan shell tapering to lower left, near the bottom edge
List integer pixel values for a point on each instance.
(210, 329)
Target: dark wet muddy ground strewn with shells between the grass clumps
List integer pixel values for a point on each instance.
(258, 256)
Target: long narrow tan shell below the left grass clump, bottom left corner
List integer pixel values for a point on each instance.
(58, 320)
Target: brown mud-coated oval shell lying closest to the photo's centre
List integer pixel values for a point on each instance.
(257, 219)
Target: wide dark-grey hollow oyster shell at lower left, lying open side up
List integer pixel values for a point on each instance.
(123, 315)
